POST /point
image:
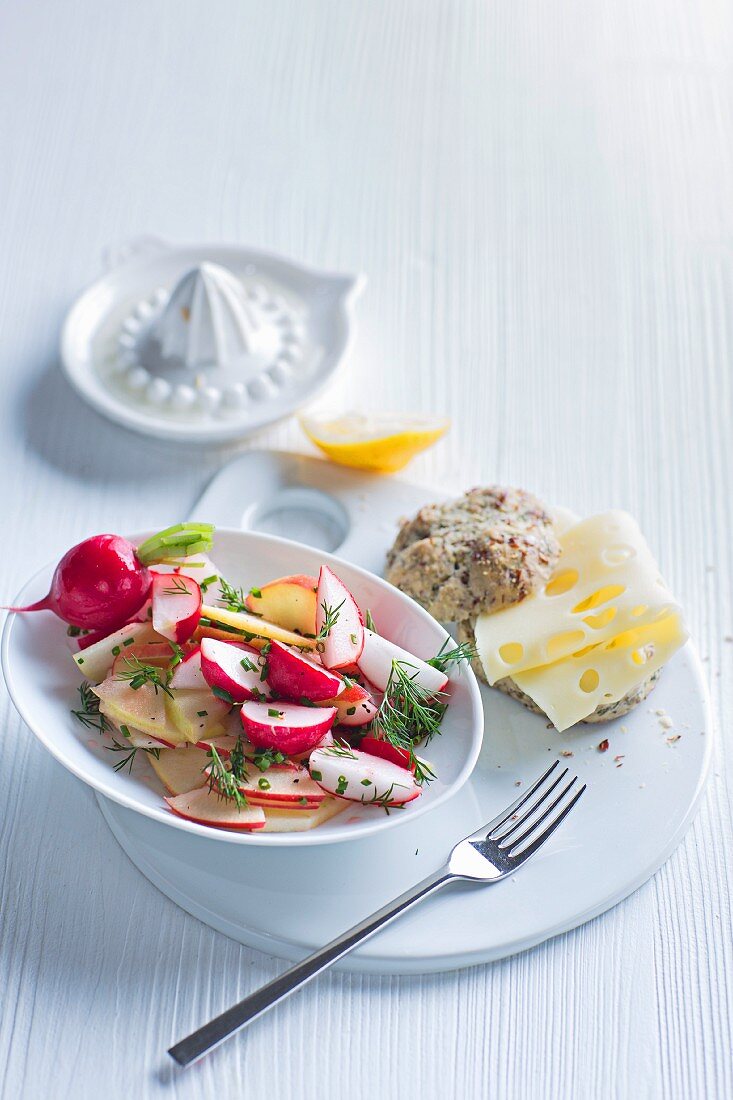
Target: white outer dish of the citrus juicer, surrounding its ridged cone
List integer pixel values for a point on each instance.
(321, 303)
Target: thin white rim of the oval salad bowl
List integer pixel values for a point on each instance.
(166, 818)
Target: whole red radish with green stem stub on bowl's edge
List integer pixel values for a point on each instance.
(102, 584)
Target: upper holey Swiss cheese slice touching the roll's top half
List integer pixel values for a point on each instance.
(607, 582)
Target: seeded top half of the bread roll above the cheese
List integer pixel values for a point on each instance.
(486, 551)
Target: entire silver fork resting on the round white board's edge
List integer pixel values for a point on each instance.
(494, 852)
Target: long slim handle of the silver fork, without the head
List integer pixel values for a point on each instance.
(220, 1029)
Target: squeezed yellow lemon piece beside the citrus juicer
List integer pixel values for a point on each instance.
(385, 444)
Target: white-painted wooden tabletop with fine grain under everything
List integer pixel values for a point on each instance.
(541, 194)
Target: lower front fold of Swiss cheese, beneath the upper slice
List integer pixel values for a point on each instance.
(572, 689)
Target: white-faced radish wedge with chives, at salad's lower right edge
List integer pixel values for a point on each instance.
(360, 777)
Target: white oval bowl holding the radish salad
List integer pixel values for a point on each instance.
(43, 683)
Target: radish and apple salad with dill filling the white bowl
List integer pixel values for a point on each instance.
(271, 709)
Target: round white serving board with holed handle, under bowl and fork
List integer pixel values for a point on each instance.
(289, 901)
